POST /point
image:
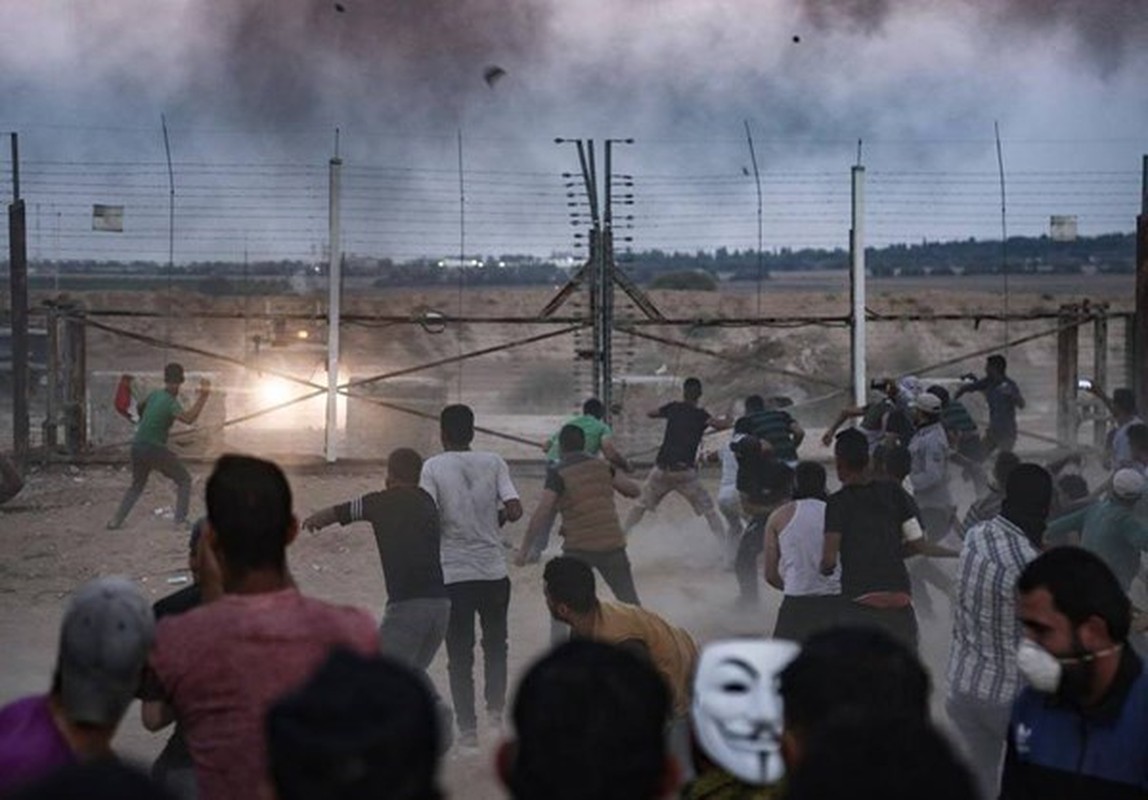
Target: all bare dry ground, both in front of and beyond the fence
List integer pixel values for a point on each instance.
(52, 537)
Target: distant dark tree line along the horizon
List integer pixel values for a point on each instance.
(1110, 253)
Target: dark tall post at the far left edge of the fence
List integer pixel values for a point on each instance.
(18, 260)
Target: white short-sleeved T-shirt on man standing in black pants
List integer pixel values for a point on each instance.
(469, 487)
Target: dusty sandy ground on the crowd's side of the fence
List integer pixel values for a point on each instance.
(53, 540)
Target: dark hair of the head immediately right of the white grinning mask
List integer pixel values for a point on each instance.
(854, 669)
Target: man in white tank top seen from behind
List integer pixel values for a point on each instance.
(795, 539)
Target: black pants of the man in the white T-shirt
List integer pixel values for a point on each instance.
(491, 602)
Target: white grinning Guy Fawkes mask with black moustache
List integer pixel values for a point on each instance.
(738, 712)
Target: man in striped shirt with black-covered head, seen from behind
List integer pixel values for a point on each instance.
(983, 679)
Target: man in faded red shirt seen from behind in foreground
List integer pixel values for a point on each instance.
(220, 667)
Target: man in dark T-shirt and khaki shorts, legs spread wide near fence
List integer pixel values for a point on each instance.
(676, 467)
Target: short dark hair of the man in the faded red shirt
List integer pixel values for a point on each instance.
(250, 507)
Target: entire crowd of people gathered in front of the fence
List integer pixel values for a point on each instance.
(272, 694)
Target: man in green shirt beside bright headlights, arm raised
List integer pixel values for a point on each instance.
(150, 446)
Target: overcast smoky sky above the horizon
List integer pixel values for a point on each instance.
(253, 91)
